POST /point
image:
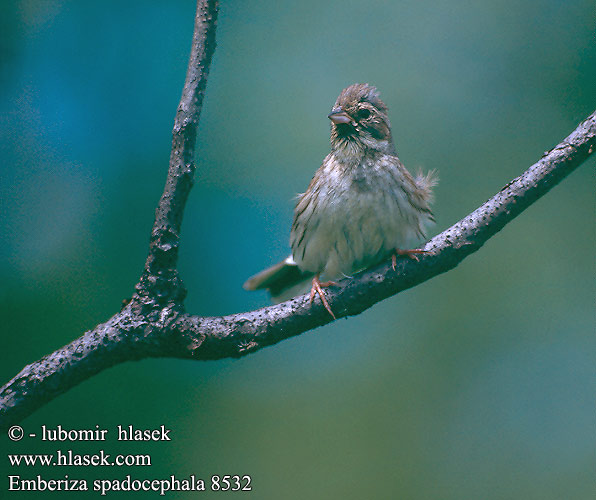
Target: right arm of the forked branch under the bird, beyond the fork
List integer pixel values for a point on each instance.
(239, 334)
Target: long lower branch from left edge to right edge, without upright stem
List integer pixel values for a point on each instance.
(146, 330)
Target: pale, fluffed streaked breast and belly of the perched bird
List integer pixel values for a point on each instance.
(350, 218)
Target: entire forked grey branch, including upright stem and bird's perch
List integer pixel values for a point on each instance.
(154, 323)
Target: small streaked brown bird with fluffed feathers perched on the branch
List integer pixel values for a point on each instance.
(362, 205)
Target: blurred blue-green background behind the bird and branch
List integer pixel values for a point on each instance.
(477, 384)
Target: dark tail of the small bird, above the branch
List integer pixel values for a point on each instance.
(282, 280)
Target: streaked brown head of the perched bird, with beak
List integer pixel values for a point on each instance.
(359, 121)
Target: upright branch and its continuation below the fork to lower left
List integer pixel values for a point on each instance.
(160, 290)
